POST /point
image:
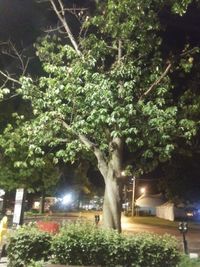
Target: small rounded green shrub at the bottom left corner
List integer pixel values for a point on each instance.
(26, 244)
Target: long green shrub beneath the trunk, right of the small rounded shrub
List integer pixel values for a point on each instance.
(79, 244)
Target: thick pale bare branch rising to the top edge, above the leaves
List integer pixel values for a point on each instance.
(61, 16)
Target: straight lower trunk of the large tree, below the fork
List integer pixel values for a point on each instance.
(112, 204)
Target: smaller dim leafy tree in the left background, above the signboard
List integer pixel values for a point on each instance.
(39, 180)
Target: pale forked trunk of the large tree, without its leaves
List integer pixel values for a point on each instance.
(111, 168)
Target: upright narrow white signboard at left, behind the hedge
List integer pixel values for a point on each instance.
(18, 209)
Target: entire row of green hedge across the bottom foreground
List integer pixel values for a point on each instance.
(85, 244)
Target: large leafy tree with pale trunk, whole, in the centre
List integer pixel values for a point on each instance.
(105, 92)
